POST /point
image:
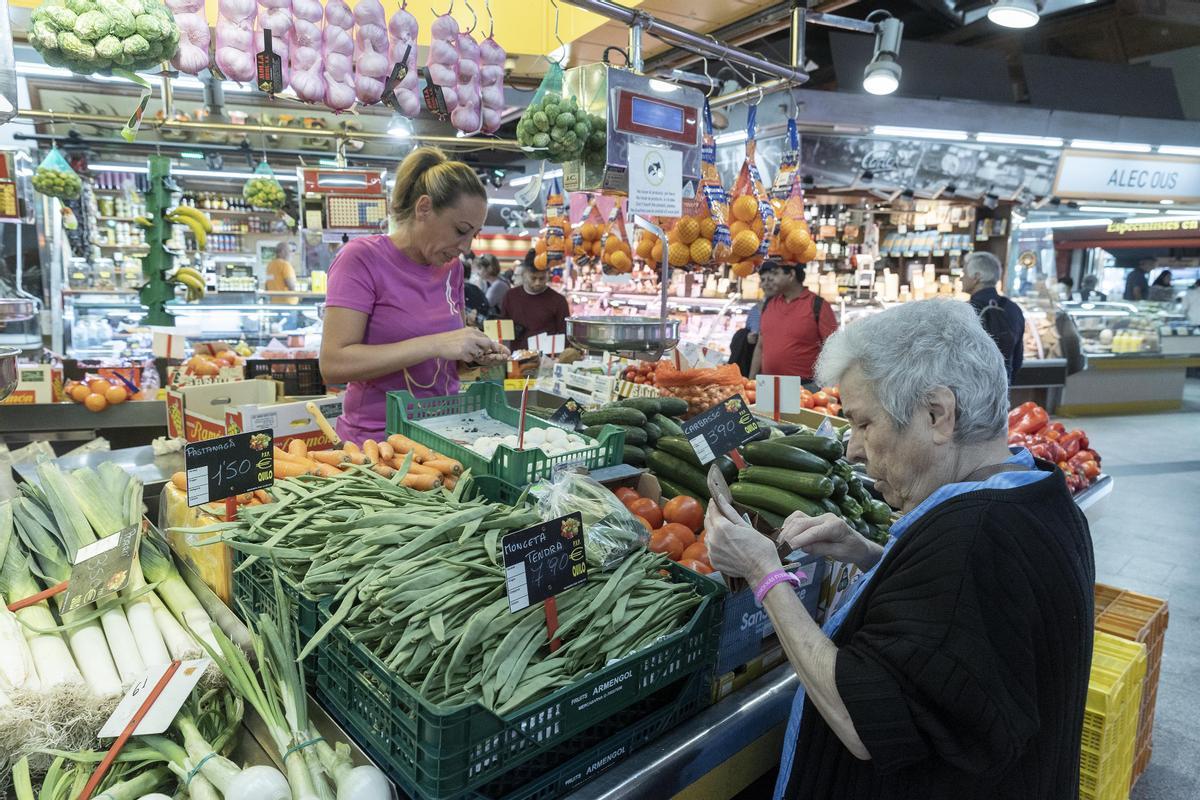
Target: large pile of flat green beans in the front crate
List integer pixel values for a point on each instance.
(418, 579)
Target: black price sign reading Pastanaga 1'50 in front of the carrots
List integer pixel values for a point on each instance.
(229, 466)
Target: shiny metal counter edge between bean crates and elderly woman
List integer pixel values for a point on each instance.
(700, 745)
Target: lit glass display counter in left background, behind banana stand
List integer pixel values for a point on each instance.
(109, 324)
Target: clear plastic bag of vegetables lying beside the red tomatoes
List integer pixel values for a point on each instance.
(610, 531)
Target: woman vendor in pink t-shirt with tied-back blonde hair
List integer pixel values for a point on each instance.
(394, 309)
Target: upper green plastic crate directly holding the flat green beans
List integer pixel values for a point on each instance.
(448, 753)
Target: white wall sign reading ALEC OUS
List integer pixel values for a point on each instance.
(1127, 177)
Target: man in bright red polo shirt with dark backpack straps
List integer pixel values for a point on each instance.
(795, 326)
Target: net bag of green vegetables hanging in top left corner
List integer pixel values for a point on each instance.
(88, 37)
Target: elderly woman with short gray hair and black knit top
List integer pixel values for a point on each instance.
(958, 666)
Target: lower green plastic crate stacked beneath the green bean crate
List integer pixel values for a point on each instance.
(587, 754)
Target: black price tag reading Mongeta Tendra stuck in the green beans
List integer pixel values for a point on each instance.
(544, 561)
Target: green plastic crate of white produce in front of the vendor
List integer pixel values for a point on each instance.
(518, 467)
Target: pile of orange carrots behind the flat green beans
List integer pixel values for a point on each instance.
(429, 470)
